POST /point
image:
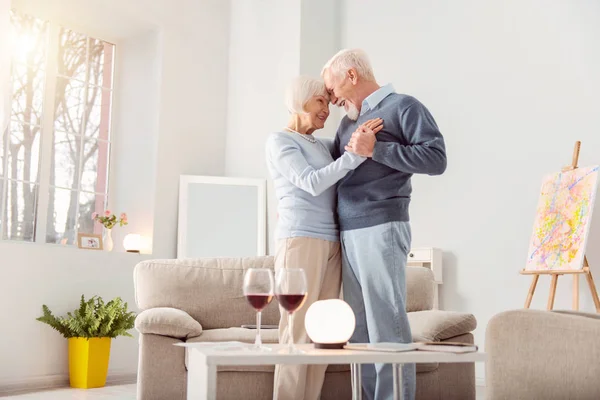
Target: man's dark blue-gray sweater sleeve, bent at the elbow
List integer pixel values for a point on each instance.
(425, 152)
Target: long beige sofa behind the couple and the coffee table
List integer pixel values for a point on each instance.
(201, 300)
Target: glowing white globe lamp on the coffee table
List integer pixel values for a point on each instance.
(330, 323)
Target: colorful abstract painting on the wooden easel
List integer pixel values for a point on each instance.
(562, 220)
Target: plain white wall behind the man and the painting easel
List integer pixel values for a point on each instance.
(512, 85)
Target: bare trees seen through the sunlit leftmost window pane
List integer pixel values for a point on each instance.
(21, 140)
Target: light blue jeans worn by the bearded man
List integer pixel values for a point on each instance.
(374, 282)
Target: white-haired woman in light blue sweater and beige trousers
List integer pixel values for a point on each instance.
(304, 175)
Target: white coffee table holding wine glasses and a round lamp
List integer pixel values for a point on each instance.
(204, 358)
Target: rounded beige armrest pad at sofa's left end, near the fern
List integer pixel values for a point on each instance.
(166, 321)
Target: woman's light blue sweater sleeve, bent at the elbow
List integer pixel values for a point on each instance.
(287, 158)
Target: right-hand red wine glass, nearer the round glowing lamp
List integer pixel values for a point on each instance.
(290, 290)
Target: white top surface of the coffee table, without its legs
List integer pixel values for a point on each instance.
(242, 354)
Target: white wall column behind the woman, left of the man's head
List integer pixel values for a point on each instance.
(272, 42)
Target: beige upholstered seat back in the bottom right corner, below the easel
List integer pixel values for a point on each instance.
(549, 355)
